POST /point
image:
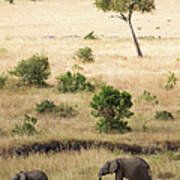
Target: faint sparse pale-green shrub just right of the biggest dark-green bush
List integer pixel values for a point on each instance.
(147, 97)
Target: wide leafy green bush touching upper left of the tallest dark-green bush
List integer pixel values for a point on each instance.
(69, 82)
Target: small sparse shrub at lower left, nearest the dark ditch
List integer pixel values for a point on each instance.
(28, 128)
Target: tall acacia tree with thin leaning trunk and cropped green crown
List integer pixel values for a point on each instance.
(125, 9)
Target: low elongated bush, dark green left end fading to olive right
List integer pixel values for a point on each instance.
(60, 110)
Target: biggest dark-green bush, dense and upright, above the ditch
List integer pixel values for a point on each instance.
(112, 107)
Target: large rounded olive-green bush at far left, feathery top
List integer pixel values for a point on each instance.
(33, 71)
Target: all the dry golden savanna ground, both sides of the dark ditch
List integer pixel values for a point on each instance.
(26, 28)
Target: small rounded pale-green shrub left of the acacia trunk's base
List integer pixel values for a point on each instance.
(84, 55)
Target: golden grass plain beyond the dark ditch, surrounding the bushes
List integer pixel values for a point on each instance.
(22, 35)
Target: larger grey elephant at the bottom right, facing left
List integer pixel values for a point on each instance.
(131, 168)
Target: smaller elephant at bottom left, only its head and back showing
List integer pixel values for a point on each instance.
(30, 175)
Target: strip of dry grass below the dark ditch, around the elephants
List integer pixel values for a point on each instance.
(83, 165)
